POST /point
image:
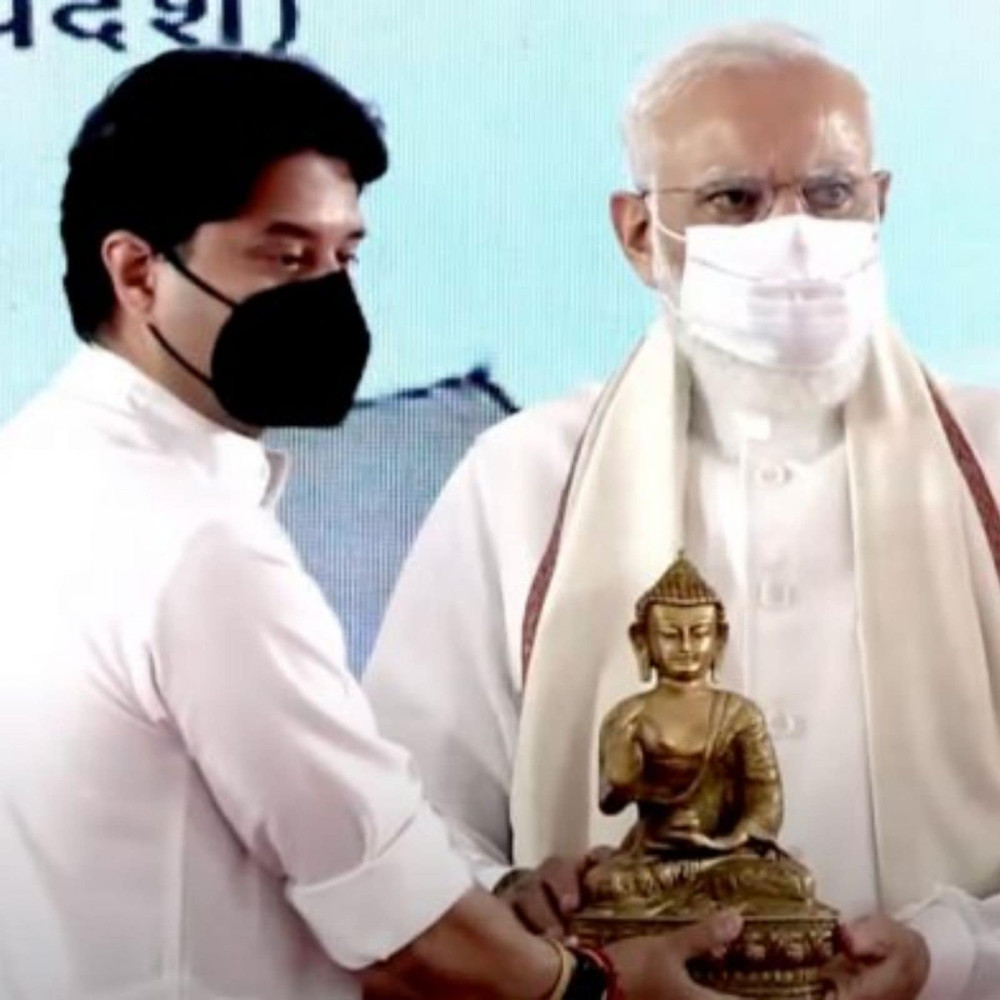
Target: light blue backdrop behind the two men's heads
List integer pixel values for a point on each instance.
(490, 240)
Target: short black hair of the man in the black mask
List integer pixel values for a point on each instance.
(182, 140)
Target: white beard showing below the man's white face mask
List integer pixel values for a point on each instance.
(736, 384)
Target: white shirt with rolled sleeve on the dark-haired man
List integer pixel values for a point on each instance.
(195, 801)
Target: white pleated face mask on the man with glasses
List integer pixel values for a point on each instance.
(794, 292)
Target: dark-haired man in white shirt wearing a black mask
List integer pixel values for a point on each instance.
(195, 800)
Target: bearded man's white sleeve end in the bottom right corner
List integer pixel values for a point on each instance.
(963, 938)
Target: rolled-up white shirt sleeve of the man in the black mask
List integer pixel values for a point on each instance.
(249, 665)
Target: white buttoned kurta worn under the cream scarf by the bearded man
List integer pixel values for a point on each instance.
(768, 521)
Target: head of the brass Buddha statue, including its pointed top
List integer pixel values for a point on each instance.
(680, 626)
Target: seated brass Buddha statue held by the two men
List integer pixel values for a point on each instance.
(698, 764)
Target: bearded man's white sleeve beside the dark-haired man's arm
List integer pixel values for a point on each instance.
(439, 678)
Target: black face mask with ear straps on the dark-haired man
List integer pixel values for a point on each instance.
(290, 356)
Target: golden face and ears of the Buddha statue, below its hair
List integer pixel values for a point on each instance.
(679, 643)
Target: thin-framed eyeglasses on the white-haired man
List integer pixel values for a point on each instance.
(739, 200)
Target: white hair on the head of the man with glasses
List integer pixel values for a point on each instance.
(741, 46)
